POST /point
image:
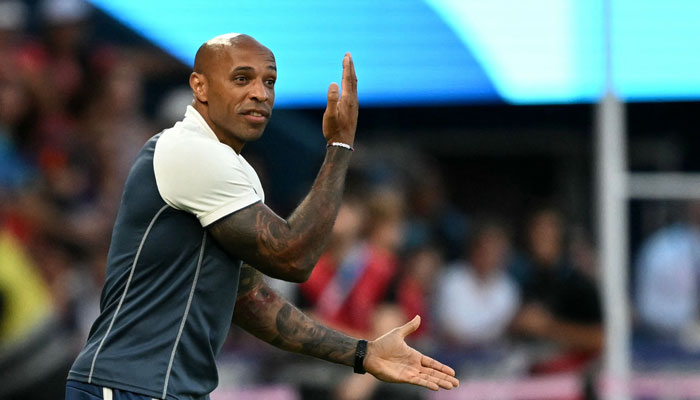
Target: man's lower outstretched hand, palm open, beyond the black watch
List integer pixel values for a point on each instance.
(390, 359)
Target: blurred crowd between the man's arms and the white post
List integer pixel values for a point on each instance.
(496, 300)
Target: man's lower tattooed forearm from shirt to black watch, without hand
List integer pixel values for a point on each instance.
(266, 315)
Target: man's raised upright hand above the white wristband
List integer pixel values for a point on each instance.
(340, 117)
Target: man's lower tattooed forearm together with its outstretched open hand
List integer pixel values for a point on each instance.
(266, 315)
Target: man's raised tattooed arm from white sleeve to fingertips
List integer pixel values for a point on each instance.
(289, 249)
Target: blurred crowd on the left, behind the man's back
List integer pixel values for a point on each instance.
(71, 123)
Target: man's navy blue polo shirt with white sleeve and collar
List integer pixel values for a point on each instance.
(169, 293)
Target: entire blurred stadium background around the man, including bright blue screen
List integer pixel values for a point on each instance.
(526, 179)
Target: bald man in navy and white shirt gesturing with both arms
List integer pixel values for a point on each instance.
(191, 212)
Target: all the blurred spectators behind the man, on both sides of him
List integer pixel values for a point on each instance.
(497, 298)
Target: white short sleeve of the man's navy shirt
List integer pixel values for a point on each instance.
(202, 177)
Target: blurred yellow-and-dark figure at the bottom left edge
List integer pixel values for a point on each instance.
(33, 351)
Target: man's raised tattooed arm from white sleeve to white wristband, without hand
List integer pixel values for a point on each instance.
(288, 249)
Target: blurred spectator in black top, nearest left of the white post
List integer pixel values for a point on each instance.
(561, 308)
